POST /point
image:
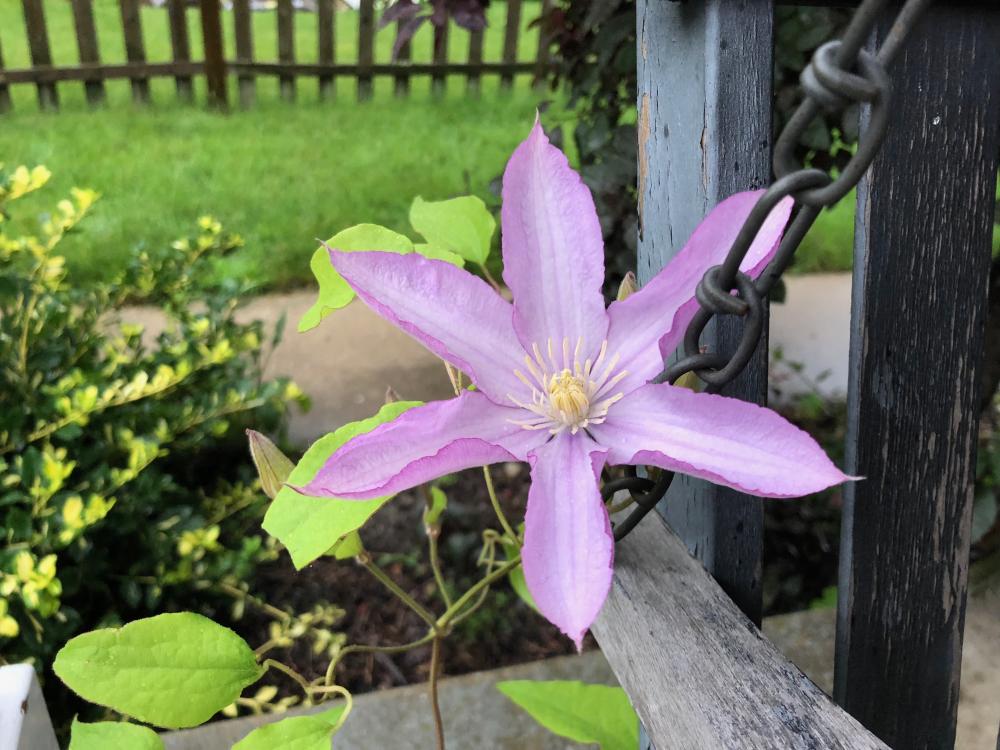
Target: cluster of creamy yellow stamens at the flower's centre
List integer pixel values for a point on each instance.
(568, 394)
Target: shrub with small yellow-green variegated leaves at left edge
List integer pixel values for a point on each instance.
(107, 434)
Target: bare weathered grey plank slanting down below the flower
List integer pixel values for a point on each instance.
(700, 675)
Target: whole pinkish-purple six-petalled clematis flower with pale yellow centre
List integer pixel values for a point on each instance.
(563, 383)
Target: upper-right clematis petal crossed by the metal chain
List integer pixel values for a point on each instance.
(650, 324)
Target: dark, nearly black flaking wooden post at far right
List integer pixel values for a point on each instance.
(922, 259)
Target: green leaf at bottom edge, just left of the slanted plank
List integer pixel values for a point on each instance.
(583, 713)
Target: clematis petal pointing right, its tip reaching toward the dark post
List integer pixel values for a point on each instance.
(723, 440)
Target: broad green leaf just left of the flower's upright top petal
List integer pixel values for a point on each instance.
(463, 226)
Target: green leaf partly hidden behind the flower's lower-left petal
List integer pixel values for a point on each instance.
(310, 526)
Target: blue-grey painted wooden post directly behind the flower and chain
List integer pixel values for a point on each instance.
(705, 133)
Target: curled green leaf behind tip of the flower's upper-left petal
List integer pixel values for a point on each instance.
(334, 292)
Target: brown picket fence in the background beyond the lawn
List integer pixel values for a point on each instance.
(93, 73)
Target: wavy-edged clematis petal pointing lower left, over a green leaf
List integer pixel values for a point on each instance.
(423, 444)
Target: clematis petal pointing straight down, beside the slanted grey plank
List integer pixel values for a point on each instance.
(568, 547)
